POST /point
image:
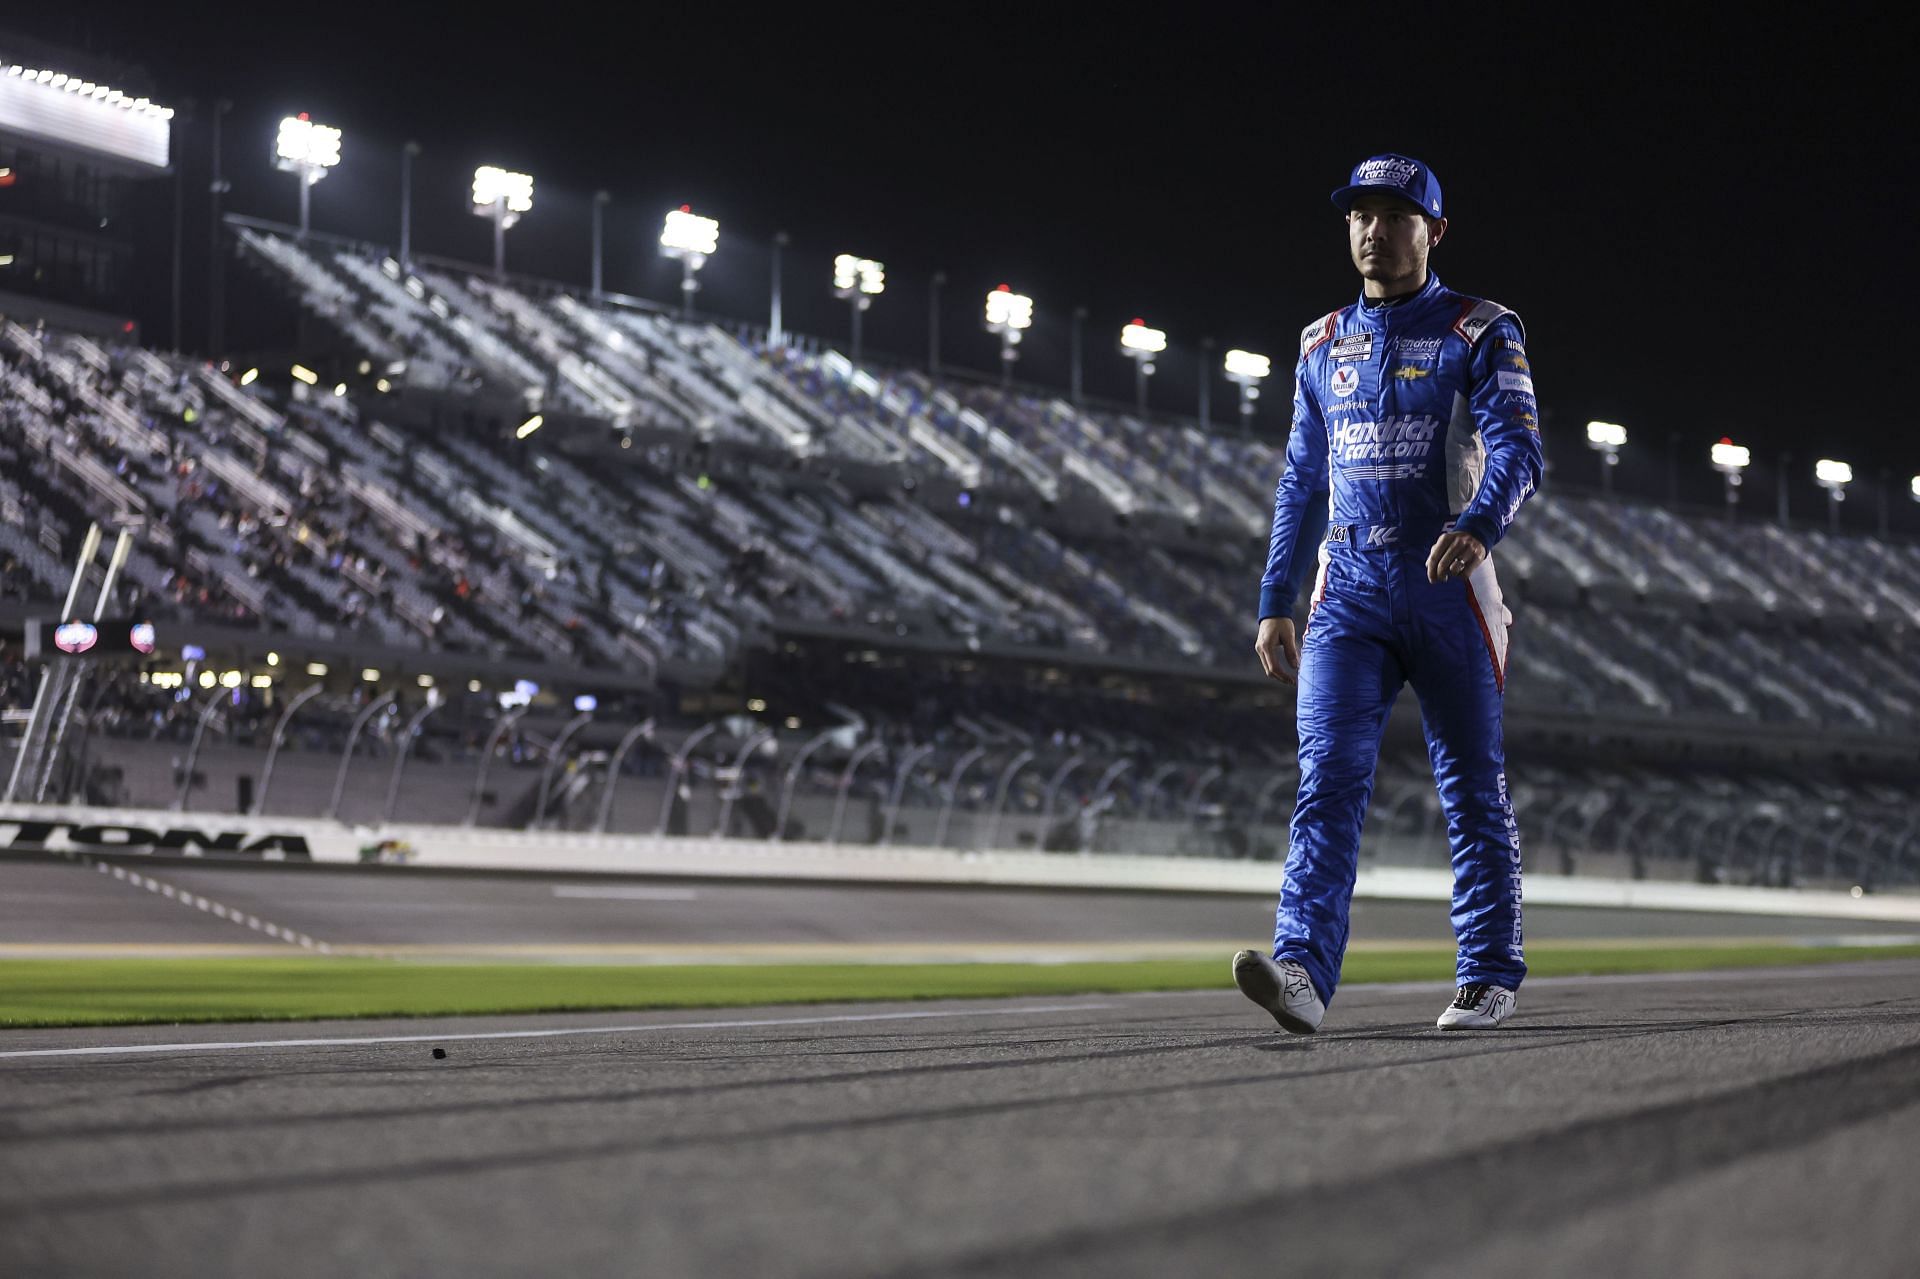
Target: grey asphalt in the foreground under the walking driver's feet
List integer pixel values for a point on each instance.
(1727, 1124)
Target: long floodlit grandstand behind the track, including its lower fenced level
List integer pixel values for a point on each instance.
(863, 604)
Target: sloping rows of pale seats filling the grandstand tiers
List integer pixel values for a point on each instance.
(765, 489)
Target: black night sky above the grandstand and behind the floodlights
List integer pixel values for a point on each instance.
(1706, 231)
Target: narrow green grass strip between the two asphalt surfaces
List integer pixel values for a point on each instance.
(116, 992)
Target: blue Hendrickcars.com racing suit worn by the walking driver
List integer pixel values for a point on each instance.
(1408, 420)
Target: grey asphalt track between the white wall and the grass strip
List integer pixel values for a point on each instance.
(53, 905)
